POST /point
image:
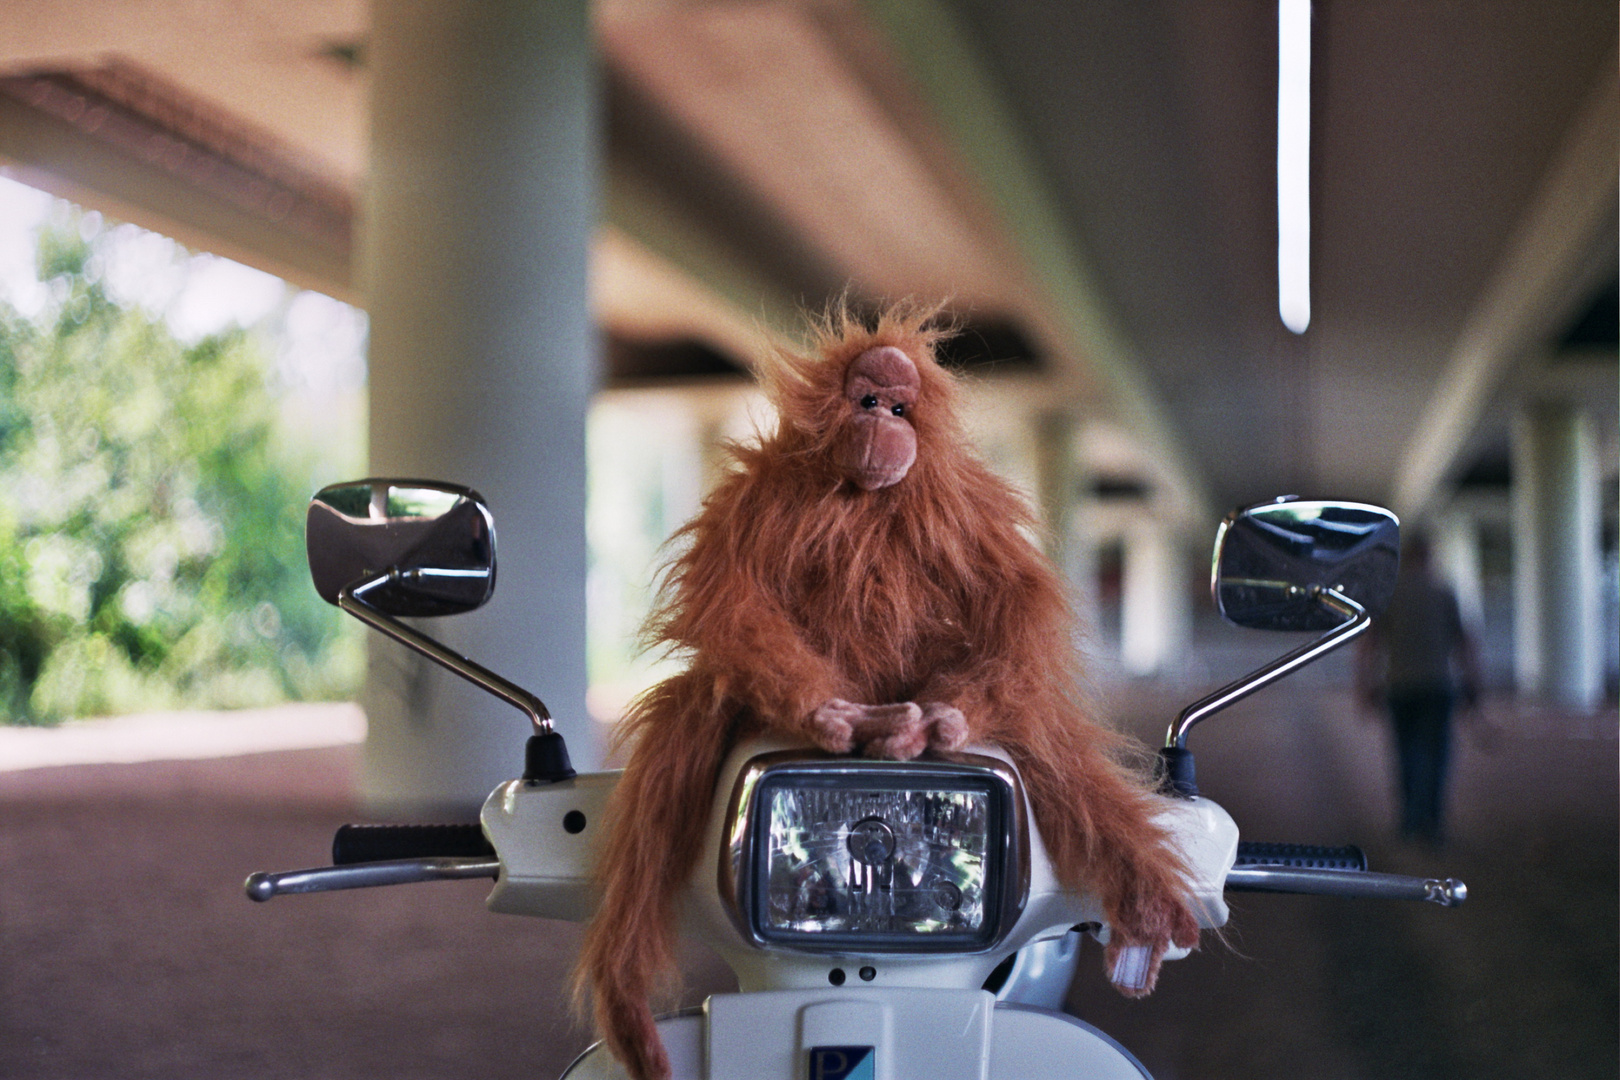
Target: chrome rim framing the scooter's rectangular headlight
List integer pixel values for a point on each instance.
(1008, 846)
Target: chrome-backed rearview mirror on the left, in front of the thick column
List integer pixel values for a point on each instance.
(440, 540)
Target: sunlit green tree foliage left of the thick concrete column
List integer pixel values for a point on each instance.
(151, 522)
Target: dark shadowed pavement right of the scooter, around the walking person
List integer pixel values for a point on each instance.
(1520, 982)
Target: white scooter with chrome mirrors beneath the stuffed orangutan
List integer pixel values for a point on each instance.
(887, 921)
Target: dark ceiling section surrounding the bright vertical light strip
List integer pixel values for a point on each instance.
(1433, 125)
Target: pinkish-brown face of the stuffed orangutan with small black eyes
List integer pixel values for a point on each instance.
(882, 389)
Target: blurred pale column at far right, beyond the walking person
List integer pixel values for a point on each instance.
(1556, 555)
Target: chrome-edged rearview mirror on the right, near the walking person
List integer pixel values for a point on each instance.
(1274, 559)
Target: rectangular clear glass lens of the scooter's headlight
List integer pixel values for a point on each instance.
(879, 861)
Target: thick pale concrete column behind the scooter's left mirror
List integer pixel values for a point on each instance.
(477, 223)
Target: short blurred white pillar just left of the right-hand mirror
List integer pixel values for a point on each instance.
(1156, 613)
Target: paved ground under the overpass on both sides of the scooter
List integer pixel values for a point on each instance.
(127, 950)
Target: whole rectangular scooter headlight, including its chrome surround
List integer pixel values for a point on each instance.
(838, 856)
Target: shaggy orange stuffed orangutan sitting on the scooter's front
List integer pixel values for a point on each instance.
(866, 585)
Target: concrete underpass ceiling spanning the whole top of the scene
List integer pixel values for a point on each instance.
(762, 156)
